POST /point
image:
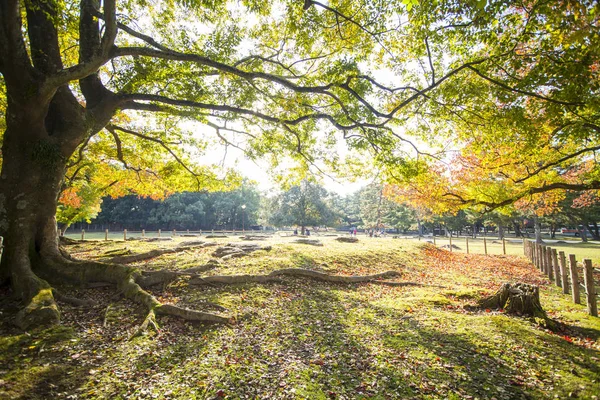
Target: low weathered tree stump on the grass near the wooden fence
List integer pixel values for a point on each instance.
(520, 299)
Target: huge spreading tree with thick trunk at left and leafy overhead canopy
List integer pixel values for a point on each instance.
(287, 79)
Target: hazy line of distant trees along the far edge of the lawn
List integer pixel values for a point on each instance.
(309, 204)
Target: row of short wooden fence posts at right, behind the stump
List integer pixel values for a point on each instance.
(564, 274)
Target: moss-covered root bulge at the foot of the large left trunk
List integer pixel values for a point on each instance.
(41, 309)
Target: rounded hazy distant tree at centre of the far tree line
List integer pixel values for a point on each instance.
(307, 204)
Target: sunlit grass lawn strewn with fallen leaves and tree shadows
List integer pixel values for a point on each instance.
(301, 339)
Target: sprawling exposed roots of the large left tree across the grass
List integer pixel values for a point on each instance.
(130, 283)
